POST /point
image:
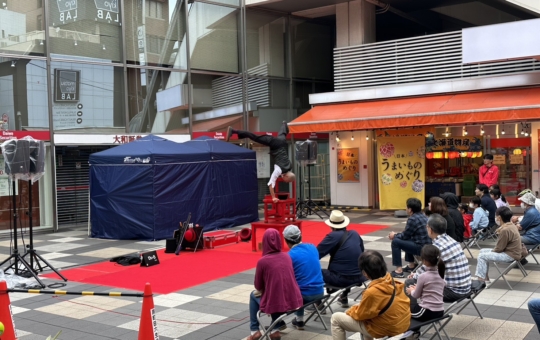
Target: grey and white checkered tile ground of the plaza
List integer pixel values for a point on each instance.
(219, 309)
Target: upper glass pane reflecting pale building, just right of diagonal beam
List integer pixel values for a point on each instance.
(213, 37)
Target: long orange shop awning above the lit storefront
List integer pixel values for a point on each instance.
(452, 109)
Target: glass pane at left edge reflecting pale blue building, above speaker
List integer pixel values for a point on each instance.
(23, 94)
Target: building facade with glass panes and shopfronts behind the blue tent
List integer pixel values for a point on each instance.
(89, 75)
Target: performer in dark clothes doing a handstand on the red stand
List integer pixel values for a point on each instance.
(278, 151)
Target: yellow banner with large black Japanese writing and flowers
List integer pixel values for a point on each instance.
(401, 164)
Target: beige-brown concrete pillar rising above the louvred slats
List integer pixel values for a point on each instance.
(355, 23)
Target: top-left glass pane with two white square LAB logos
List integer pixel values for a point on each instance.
(86, 28)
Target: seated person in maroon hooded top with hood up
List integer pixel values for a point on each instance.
(276, 289)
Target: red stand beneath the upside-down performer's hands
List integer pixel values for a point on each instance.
(277, 215)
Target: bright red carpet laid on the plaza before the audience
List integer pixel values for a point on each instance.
(190, 269)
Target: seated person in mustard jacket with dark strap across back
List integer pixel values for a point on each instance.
(377, 315)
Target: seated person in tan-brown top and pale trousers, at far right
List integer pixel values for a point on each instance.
(507, 249)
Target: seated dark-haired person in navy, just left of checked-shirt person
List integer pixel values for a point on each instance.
(411, 240)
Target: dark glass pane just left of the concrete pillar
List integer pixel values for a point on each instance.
(312, 49)
